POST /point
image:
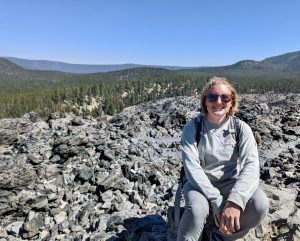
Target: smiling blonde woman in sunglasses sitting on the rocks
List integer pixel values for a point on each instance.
(222, 171)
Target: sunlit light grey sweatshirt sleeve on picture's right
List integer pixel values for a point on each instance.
(248, 179)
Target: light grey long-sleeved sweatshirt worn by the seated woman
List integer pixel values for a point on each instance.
(219, 159)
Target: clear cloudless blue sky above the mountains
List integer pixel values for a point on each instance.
(158, 32)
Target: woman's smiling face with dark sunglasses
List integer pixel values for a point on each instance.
(219, 102)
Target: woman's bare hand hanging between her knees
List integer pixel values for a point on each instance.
(229, 218)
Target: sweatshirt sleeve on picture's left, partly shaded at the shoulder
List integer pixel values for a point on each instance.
(193, 170)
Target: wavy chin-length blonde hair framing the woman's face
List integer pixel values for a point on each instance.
(220, 80)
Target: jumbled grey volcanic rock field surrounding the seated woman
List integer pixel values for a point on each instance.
(75, 178)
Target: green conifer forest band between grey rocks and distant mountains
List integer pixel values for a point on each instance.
(24, 90)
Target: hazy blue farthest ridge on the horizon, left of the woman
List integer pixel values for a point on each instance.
(78, 68)
